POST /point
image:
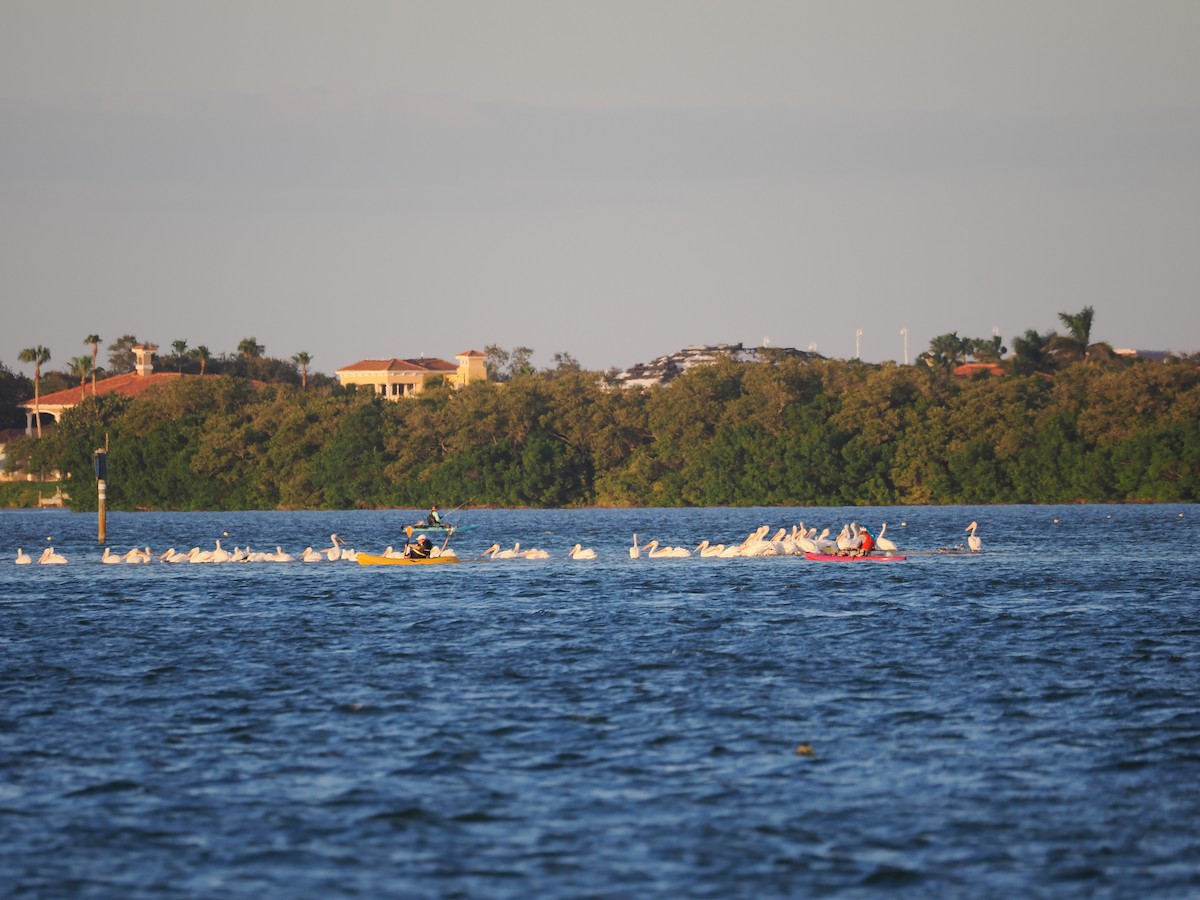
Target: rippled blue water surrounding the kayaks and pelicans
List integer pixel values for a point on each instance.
(1024, 722)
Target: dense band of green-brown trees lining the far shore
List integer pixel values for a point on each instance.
(790, 433)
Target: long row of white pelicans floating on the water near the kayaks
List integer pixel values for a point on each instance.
(796, 542)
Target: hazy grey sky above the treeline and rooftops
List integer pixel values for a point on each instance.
(615, 181)
